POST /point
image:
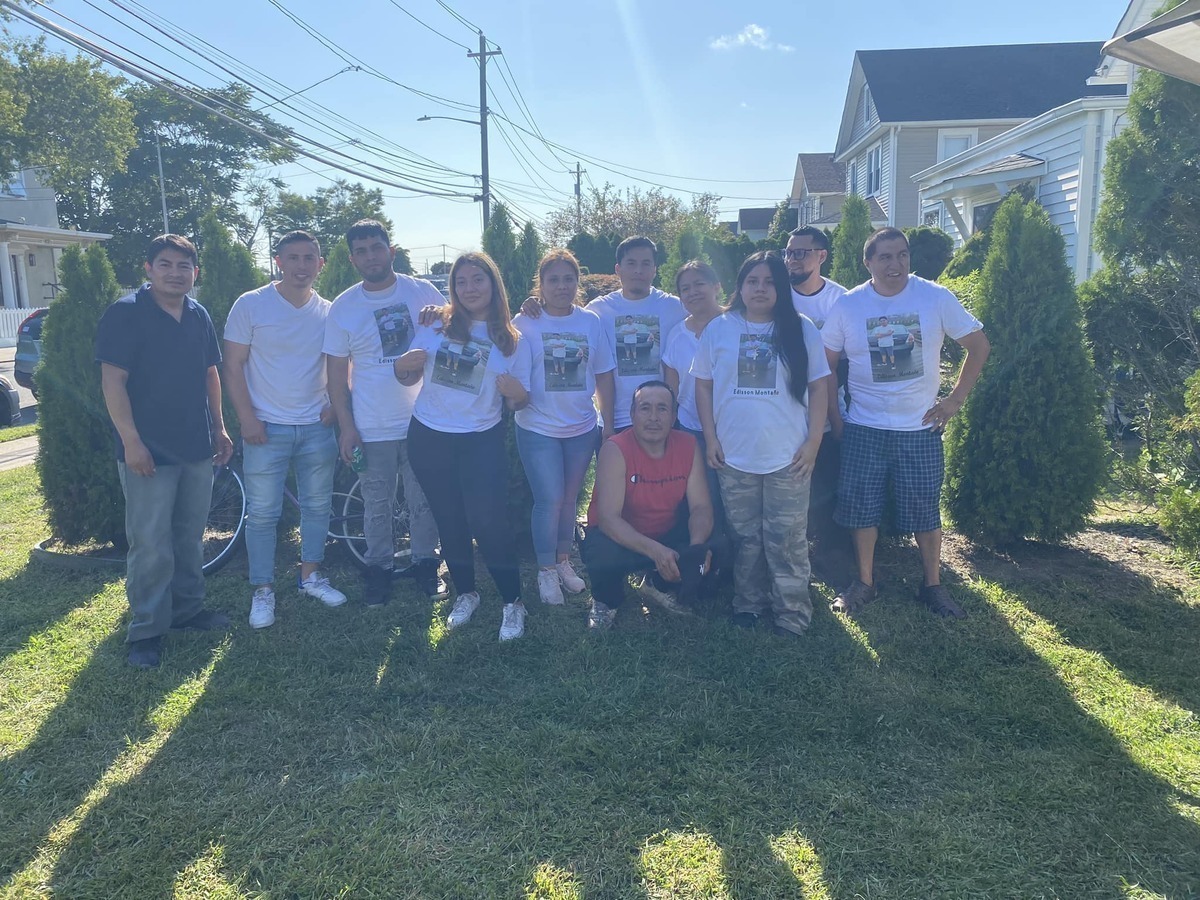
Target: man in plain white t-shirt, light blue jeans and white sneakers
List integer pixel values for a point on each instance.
(275, 377)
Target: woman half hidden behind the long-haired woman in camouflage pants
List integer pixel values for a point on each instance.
(699, 287)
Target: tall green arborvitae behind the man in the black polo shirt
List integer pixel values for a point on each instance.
(75, 458)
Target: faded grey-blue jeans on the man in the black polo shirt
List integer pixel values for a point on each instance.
(165, 517)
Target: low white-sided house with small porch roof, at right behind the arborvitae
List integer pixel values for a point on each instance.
(1060, 153)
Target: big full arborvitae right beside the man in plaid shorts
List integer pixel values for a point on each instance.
(1027, 457)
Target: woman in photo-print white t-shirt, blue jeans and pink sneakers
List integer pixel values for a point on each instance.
(557, 434)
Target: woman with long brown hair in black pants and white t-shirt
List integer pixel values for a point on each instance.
(473, 364)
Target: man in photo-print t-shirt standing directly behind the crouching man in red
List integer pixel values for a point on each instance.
(637, 321)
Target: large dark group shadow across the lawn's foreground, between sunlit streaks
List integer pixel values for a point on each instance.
(958, 765)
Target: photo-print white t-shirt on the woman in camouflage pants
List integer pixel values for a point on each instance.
(759, 423)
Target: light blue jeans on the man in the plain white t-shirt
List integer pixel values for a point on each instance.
(313, 451)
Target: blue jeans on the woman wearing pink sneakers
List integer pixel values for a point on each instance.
(556, 469)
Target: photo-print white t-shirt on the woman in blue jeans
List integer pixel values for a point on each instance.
(567, 353)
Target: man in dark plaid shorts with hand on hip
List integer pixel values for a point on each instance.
(893, 427)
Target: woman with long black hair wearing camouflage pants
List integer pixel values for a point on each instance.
(763, 425)
